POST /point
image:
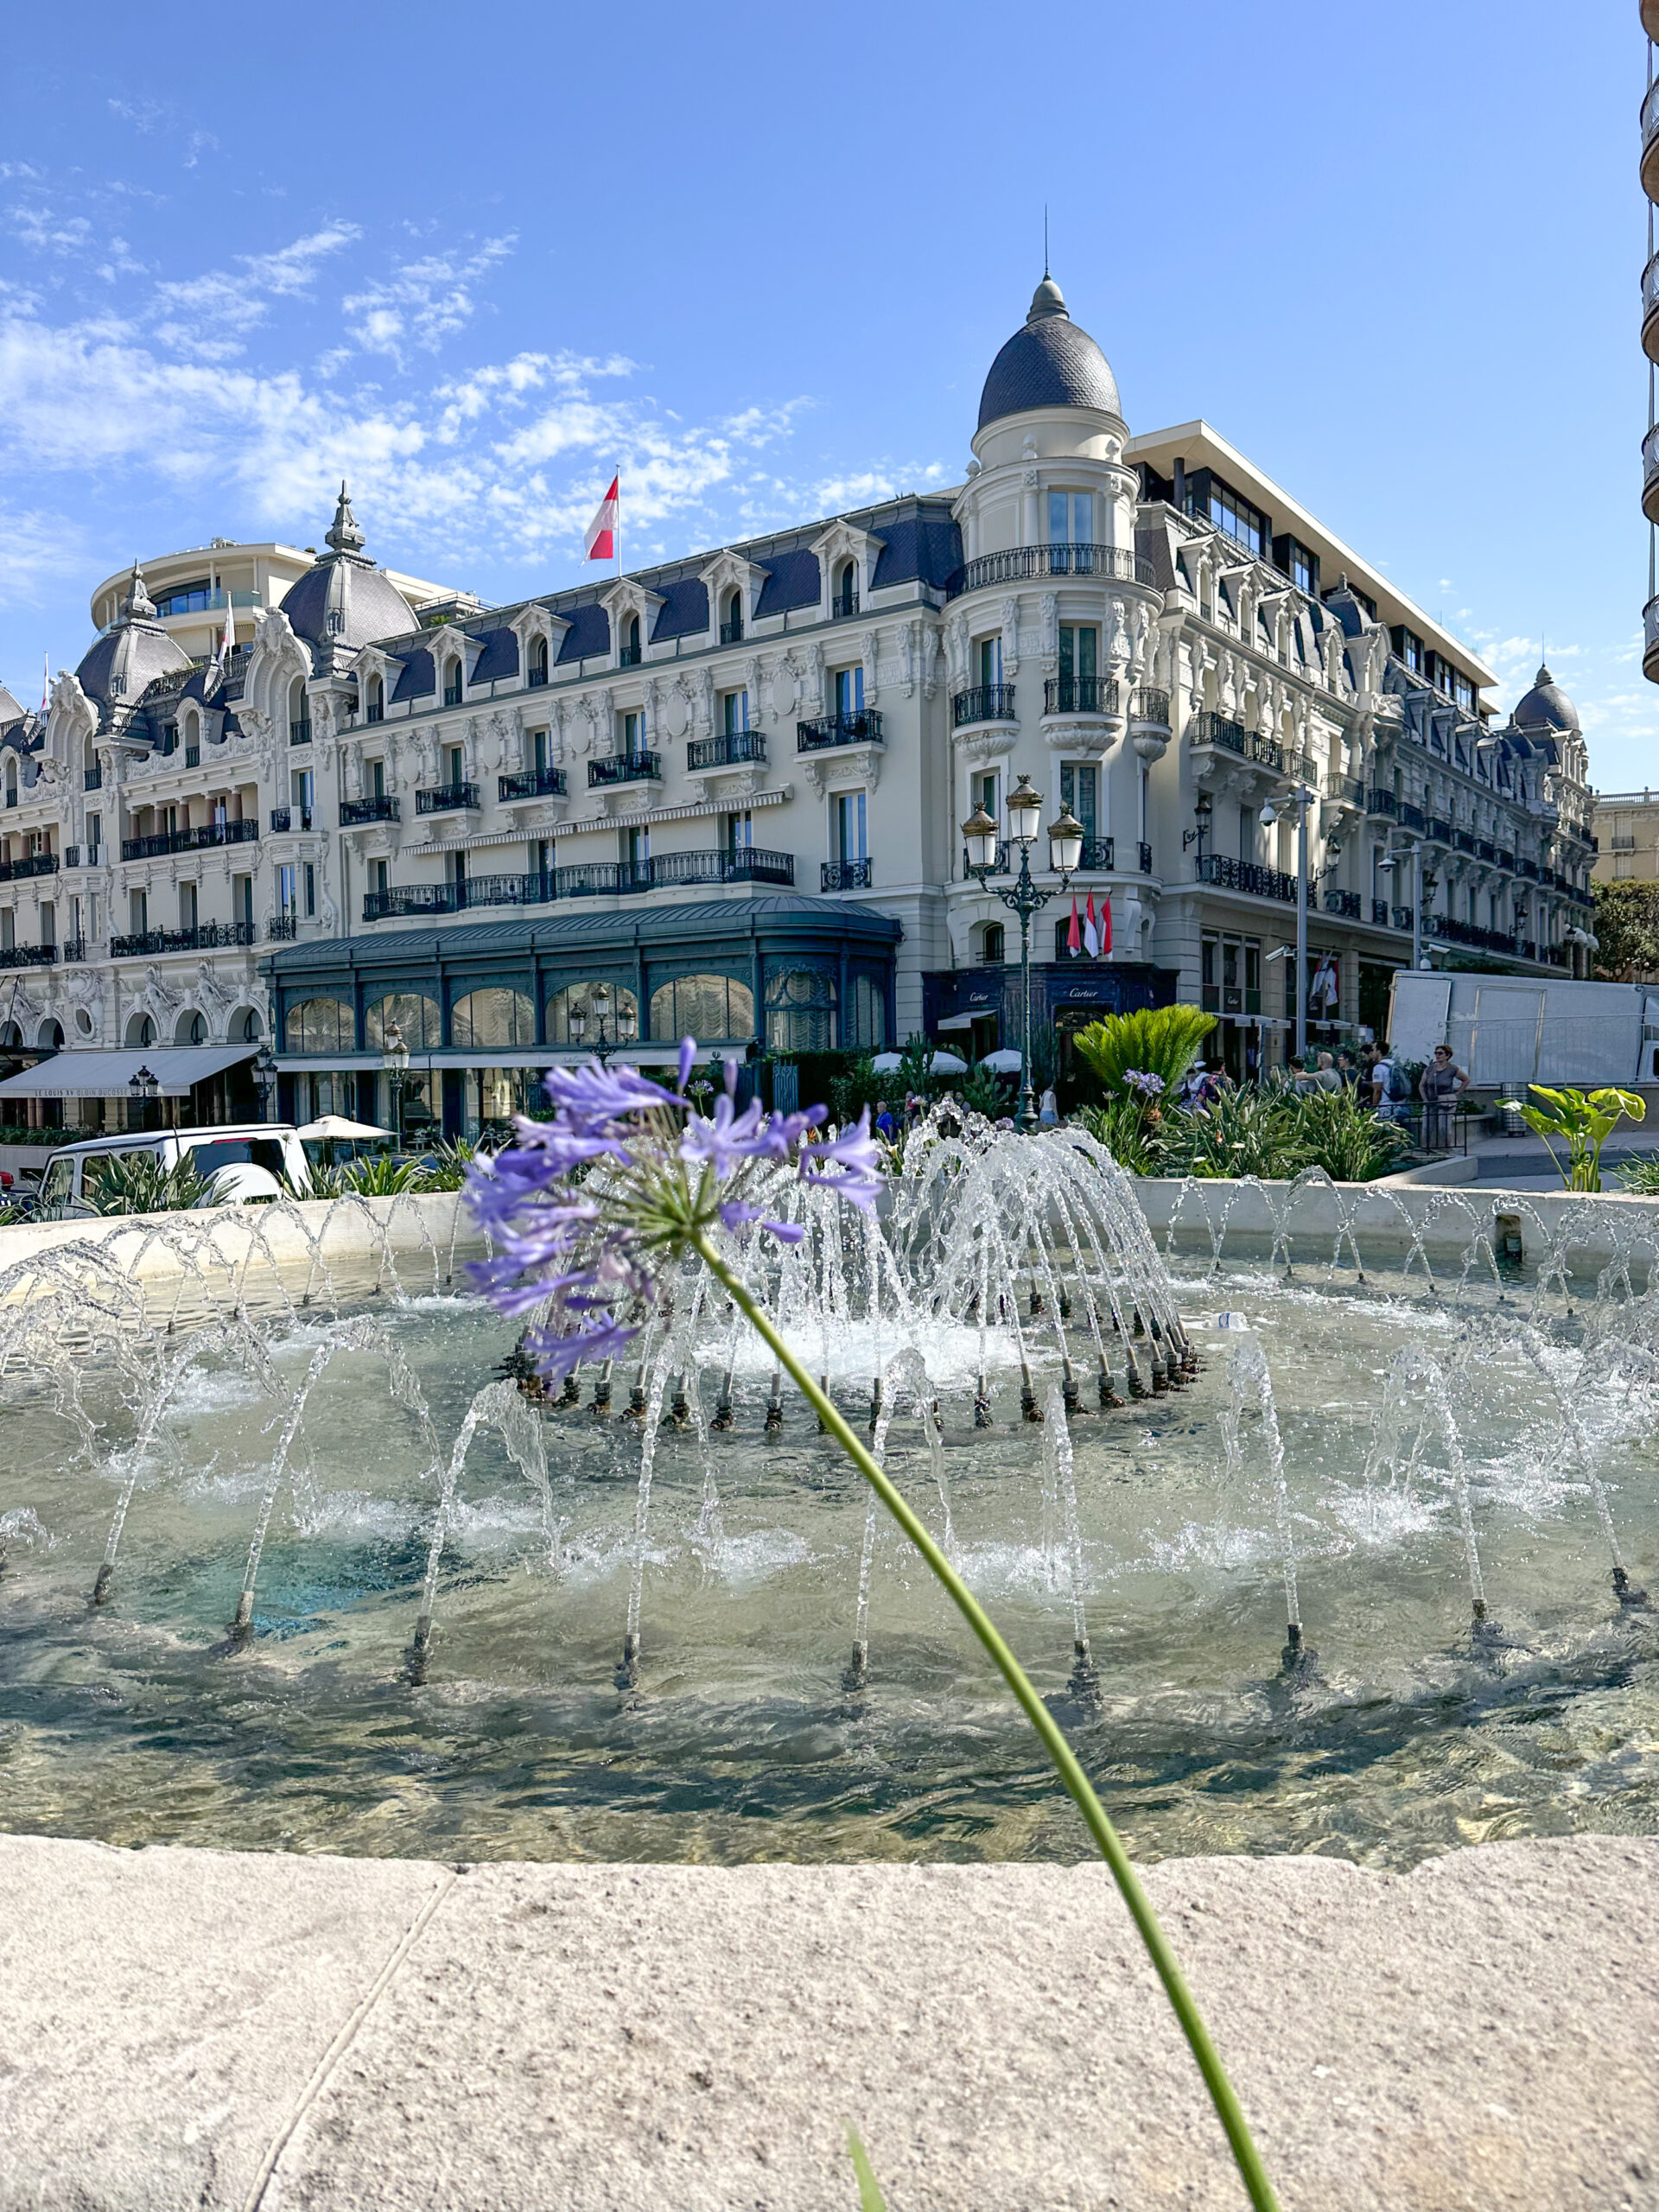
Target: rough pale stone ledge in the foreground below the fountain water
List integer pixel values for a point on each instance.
(273, 2032)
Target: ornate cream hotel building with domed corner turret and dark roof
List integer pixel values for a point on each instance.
(724, 795)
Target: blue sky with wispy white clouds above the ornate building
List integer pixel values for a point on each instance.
(762, 260)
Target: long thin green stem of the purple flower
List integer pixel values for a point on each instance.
(1100, 1828)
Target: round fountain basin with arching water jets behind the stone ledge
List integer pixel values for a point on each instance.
(298, 1550)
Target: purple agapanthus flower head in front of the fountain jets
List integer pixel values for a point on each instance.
(592, 1209)
